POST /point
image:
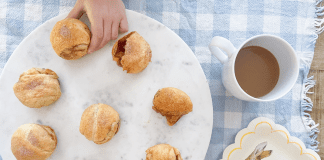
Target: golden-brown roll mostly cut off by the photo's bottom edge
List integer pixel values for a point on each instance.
(163, 152)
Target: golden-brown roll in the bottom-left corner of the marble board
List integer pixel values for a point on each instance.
(33, 142)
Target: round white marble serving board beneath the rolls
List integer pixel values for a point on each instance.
(96, 78)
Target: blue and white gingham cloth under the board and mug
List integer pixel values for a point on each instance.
(196, 22)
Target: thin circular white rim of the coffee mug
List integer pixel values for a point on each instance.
(284, 92)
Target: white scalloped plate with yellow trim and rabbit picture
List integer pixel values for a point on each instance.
(284, 146)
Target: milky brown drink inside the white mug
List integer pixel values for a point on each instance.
(256, 70)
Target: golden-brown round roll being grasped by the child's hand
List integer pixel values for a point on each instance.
(70, 38)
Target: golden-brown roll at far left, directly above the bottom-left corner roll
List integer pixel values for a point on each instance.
(37, 88)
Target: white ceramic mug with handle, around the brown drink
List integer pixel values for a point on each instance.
(281, 49)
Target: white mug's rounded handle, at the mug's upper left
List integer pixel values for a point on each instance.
(218, 43)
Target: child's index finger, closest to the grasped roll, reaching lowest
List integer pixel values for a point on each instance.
(97, 35)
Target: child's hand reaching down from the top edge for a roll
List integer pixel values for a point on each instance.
(106, 17)
